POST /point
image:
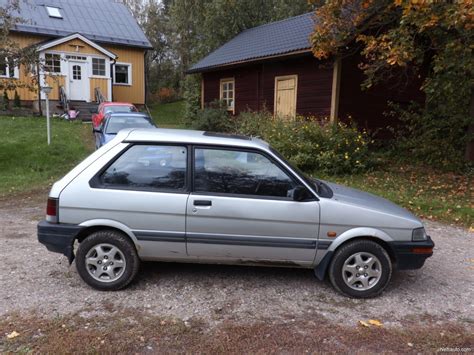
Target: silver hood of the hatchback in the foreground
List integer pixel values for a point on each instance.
(371, 203)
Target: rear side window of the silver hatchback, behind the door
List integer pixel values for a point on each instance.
(147, 167)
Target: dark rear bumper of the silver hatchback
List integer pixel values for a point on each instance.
(58, 238)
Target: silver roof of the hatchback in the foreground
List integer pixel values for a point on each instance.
(166, 135)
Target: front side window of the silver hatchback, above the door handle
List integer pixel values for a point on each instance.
(239, 172)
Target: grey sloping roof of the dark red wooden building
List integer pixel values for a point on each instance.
(273, 39)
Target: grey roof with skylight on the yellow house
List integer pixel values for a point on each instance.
(104, 21)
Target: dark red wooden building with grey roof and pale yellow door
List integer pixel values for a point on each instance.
(272, 67)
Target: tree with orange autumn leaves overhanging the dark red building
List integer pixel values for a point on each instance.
(432, 38)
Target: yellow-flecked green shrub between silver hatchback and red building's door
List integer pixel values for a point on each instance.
(312, 145)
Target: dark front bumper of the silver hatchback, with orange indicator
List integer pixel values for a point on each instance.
(412, 255)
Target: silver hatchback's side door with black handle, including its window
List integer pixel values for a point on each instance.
(241, 208)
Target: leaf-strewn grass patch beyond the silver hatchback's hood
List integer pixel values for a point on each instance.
(430, 194)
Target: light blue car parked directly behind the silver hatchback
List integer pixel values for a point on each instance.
(114, 122)
